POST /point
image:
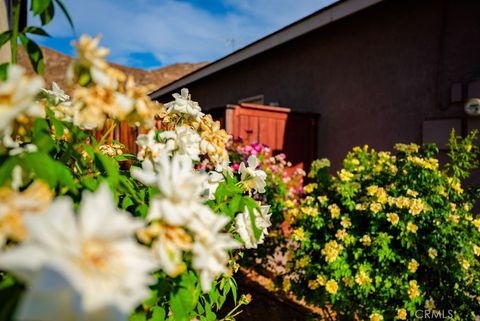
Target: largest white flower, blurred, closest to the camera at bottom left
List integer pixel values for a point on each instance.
(83, 267)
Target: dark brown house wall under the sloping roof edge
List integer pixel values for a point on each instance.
(374, 76)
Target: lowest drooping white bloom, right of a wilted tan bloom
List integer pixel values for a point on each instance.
(210, 247)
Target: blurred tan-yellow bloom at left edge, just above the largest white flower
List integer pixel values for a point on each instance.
(15, 205)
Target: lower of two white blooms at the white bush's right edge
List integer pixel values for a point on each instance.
(245, 228)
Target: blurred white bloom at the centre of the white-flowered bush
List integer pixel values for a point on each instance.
(179, 185)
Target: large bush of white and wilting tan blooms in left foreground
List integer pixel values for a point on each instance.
(82, 237)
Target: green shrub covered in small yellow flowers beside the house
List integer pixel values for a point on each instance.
(393, 233)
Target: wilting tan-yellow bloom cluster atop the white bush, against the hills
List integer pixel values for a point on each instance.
(105, 92)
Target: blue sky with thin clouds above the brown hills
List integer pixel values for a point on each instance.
(153, 33)
